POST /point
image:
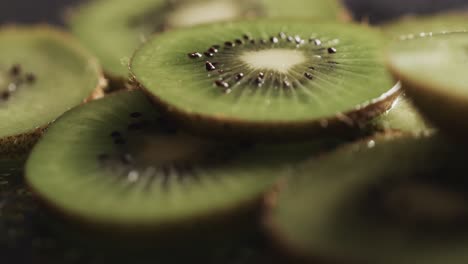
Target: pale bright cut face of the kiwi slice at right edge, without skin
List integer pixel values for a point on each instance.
(437, 62)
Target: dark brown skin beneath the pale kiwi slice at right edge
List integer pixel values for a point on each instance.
(446, 111)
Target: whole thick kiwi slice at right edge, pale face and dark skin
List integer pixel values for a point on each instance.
(432, 70)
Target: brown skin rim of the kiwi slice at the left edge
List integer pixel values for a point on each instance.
(18, 146)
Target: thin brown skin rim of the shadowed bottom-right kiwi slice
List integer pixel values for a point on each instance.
(286, 251)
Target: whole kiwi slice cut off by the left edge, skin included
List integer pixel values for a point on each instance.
(35, 64)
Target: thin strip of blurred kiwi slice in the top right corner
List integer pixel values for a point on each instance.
(427, 24)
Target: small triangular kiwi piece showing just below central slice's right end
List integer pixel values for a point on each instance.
(402, 117)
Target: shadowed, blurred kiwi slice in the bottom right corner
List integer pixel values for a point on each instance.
(389, 199)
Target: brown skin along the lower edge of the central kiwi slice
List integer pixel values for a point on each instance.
(348, 124)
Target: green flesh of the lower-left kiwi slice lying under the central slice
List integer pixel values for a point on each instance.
(130, 169)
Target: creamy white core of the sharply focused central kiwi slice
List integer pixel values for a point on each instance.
(278, 60)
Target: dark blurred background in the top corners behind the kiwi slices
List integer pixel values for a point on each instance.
(51, 11)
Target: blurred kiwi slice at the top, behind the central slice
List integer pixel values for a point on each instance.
(113, 29)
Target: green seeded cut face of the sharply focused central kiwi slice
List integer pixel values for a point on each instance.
(265, 70)
